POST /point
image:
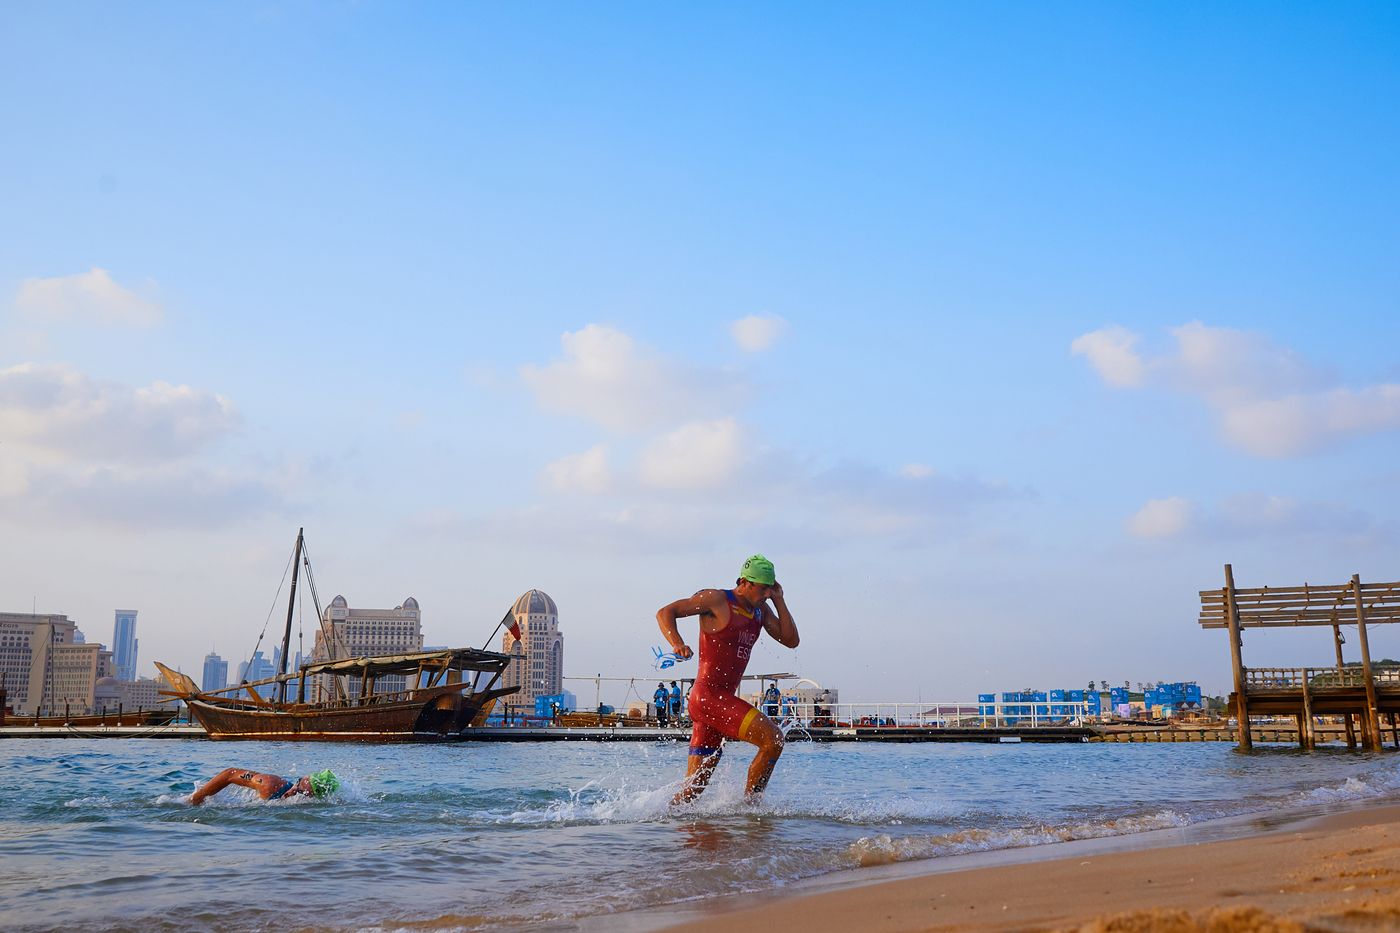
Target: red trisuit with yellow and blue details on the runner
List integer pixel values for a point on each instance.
(715, 710)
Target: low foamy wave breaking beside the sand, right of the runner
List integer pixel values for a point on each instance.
(884, 850)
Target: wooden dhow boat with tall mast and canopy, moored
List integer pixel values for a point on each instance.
(446, 691)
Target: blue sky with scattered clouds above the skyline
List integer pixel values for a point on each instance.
(1000, 329)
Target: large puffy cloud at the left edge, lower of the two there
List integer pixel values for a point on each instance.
(64, 414)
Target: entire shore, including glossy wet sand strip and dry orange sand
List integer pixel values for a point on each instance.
(1262, 872)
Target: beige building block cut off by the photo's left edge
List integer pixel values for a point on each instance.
(45, 665)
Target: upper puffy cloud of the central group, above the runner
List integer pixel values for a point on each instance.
(610, 379)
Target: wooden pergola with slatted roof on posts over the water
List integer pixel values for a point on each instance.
(1308, 693)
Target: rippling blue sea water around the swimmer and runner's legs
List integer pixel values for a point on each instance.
(96, 834)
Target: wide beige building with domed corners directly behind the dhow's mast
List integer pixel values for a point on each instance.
(348, 633)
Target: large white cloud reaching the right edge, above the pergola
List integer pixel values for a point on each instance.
(1268, 399)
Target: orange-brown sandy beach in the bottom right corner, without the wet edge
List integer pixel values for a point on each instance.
(1332, 873)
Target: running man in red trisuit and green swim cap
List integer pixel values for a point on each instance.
(730, 624)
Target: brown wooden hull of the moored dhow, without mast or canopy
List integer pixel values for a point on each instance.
(428, 715)
